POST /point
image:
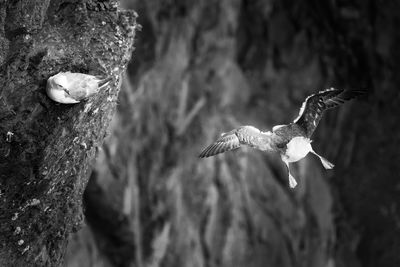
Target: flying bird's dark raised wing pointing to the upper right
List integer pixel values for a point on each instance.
(311, 111)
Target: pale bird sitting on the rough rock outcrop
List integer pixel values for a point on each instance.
(71, 88)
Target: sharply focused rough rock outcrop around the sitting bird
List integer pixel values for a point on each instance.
(46, 149)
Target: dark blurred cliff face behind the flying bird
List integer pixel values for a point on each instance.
(204, 67)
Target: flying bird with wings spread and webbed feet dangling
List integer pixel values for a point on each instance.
(292, 140)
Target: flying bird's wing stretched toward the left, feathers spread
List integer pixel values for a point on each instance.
(244, 135)
